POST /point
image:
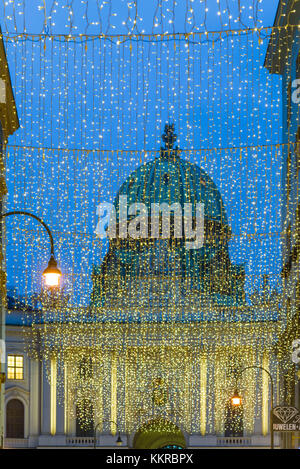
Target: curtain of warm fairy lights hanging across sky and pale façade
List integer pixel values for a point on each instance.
(93, 108)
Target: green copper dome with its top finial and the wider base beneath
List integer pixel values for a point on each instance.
(132, 263)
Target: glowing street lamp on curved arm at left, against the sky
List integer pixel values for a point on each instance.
(51, 274)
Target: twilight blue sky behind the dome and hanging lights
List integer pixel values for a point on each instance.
(92, 109)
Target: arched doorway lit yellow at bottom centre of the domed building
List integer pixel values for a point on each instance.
(159, 433)
